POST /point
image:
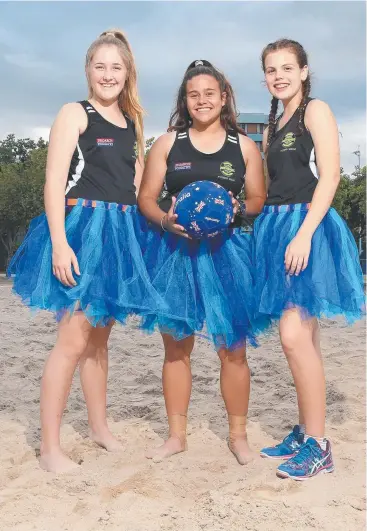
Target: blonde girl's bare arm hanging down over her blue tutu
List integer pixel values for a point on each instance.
(63, 140)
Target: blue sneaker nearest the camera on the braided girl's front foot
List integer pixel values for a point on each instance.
(309, 461)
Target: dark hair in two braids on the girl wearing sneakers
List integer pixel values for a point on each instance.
(302, 60)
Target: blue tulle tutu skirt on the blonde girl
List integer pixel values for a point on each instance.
(113, 283)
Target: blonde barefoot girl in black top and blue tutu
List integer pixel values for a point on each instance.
(81, 259)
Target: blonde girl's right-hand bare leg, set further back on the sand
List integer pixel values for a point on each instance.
(93, 368)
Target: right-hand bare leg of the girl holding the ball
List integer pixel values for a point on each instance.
(235, 387)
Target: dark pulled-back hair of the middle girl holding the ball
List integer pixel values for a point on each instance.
(180, 118)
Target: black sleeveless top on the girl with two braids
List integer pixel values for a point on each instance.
(291, 164)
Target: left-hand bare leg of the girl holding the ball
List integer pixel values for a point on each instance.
(177, 382)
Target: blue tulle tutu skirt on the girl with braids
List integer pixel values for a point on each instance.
(331, 284)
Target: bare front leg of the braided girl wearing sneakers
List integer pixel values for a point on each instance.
(300, 342)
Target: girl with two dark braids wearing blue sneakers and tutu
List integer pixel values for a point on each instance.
(306, 258)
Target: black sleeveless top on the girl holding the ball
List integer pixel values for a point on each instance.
(185, 164)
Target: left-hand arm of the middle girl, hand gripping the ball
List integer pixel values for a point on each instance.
(152, 183)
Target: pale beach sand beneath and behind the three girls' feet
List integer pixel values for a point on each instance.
(202, 489)
